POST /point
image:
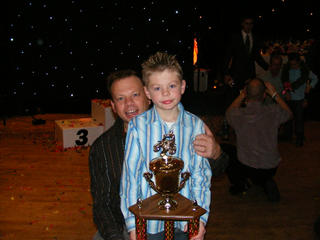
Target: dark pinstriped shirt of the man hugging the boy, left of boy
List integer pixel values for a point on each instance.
(105, 165)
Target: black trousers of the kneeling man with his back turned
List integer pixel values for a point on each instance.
(239, 174)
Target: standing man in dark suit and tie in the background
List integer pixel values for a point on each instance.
(239, 65)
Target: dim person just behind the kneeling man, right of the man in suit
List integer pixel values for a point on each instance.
(273, 75)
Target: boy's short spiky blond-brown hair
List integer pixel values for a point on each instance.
(159, 62)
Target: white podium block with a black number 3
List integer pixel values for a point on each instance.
(77, 132)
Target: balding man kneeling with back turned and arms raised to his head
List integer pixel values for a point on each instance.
(256, 127)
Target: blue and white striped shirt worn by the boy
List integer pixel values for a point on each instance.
(146, 130)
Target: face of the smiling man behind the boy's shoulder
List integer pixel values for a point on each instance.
(128, 98)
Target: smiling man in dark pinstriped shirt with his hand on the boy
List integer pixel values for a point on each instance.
(107, 154)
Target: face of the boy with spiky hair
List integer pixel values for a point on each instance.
(165, 89)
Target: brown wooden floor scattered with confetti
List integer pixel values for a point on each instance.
(45, 192)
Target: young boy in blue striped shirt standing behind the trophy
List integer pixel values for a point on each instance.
(164, 85)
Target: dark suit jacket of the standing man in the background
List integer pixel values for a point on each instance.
(240, 63)
